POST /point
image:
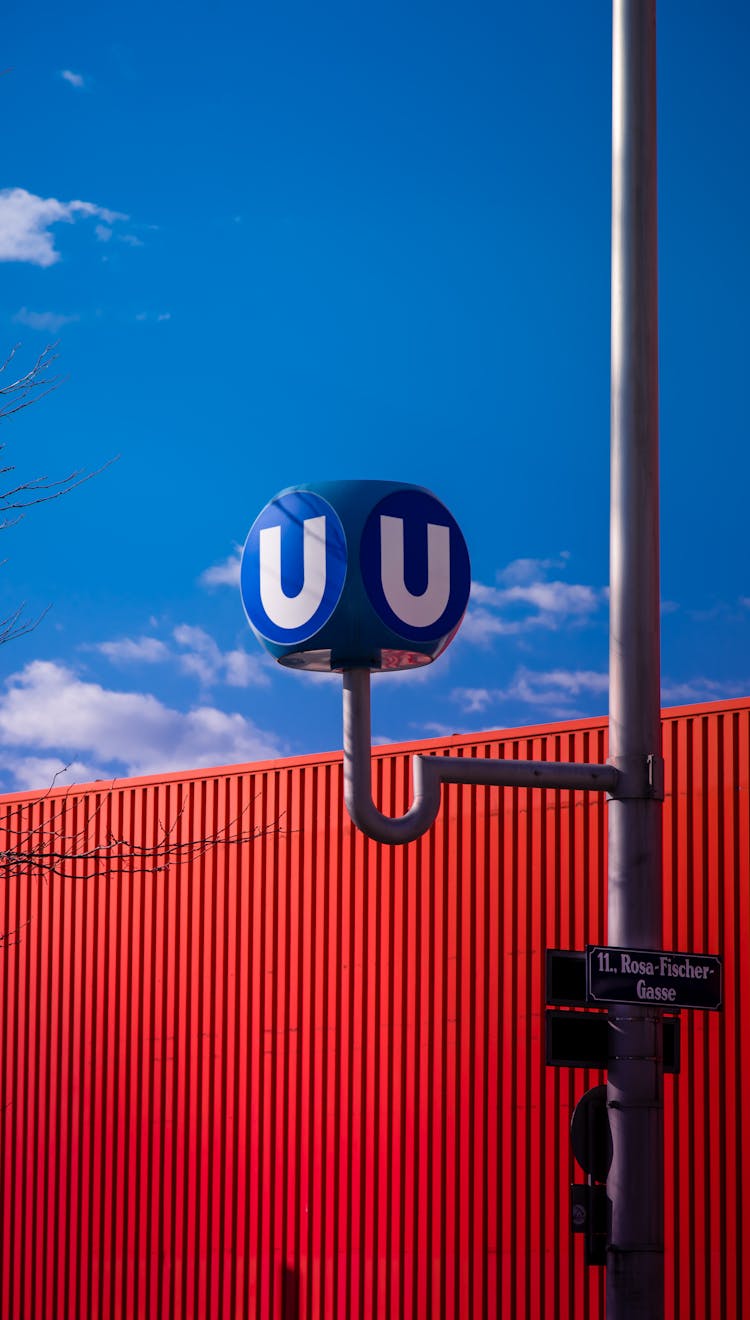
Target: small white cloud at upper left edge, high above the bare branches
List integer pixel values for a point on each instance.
(26, 224)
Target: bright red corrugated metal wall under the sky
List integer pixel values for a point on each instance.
(254, 1065)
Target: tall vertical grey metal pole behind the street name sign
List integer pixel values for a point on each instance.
(636, 1185)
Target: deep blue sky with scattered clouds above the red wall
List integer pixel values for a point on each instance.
(291, 242)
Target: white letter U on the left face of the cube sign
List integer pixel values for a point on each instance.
(292, 612)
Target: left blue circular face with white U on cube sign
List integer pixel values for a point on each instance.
(294, 568)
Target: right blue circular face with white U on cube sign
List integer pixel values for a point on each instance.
(415, 566)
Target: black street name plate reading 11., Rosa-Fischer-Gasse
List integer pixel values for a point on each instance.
(654, 977)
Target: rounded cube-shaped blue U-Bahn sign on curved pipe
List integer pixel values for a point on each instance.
(356, 575)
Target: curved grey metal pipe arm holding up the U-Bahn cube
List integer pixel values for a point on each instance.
(430, 773)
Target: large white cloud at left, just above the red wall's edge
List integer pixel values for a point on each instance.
(48, 709)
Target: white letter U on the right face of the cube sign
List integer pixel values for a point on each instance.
(419, 612)
